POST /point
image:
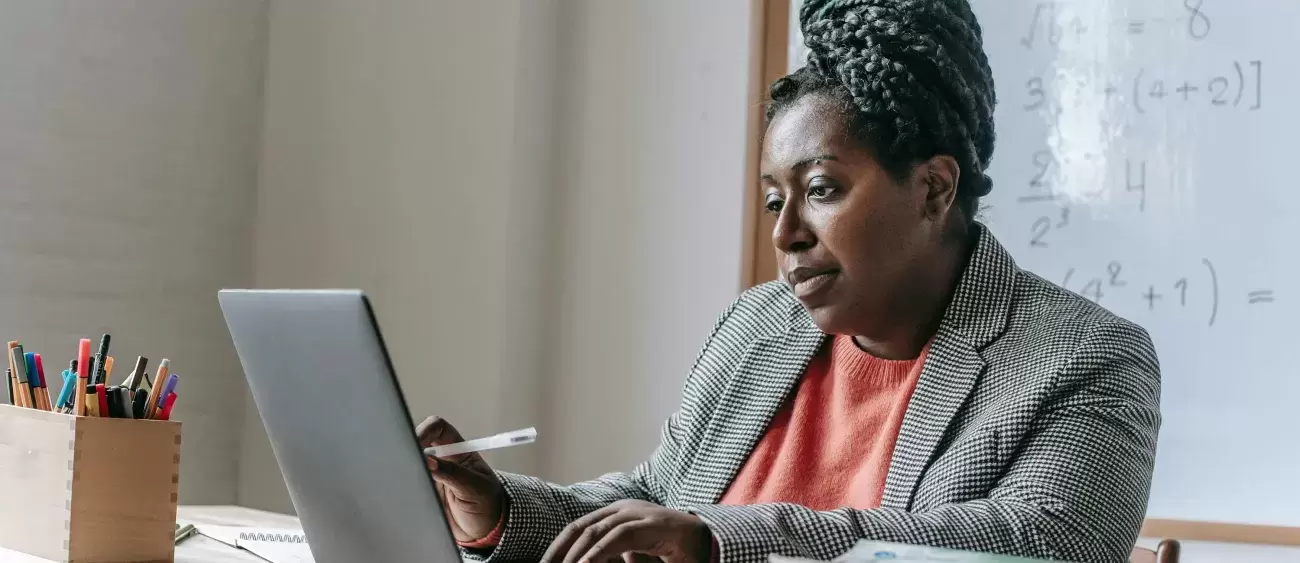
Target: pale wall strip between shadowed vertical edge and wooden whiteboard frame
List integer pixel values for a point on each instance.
(652, 179)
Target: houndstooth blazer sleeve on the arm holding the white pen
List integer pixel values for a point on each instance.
(539, 512)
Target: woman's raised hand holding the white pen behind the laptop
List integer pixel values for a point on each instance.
(473, 497)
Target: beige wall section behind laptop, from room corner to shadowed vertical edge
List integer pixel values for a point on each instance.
(408, 153)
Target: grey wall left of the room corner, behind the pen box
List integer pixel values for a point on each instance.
(128, 175)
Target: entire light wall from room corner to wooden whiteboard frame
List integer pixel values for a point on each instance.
(540, 196)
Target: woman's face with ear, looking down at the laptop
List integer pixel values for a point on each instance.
(853, 244)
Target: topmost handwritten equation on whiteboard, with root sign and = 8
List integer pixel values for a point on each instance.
(1056, 21)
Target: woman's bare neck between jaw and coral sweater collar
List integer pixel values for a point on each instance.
(909, 327)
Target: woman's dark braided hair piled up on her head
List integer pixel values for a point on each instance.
(911, 77)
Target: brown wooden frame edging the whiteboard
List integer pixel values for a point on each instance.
(769, 62)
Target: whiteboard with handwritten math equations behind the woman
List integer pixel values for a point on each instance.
(1145, 161)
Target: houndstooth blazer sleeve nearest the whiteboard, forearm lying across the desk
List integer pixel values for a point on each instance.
(1077, 491)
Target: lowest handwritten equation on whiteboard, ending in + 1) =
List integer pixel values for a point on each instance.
(1195, 292)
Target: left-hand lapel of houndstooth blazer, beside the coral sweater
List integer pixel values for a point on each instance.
(764, 380)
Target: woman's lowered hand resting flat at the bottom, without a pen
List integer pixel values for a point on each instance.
(631, 529)
